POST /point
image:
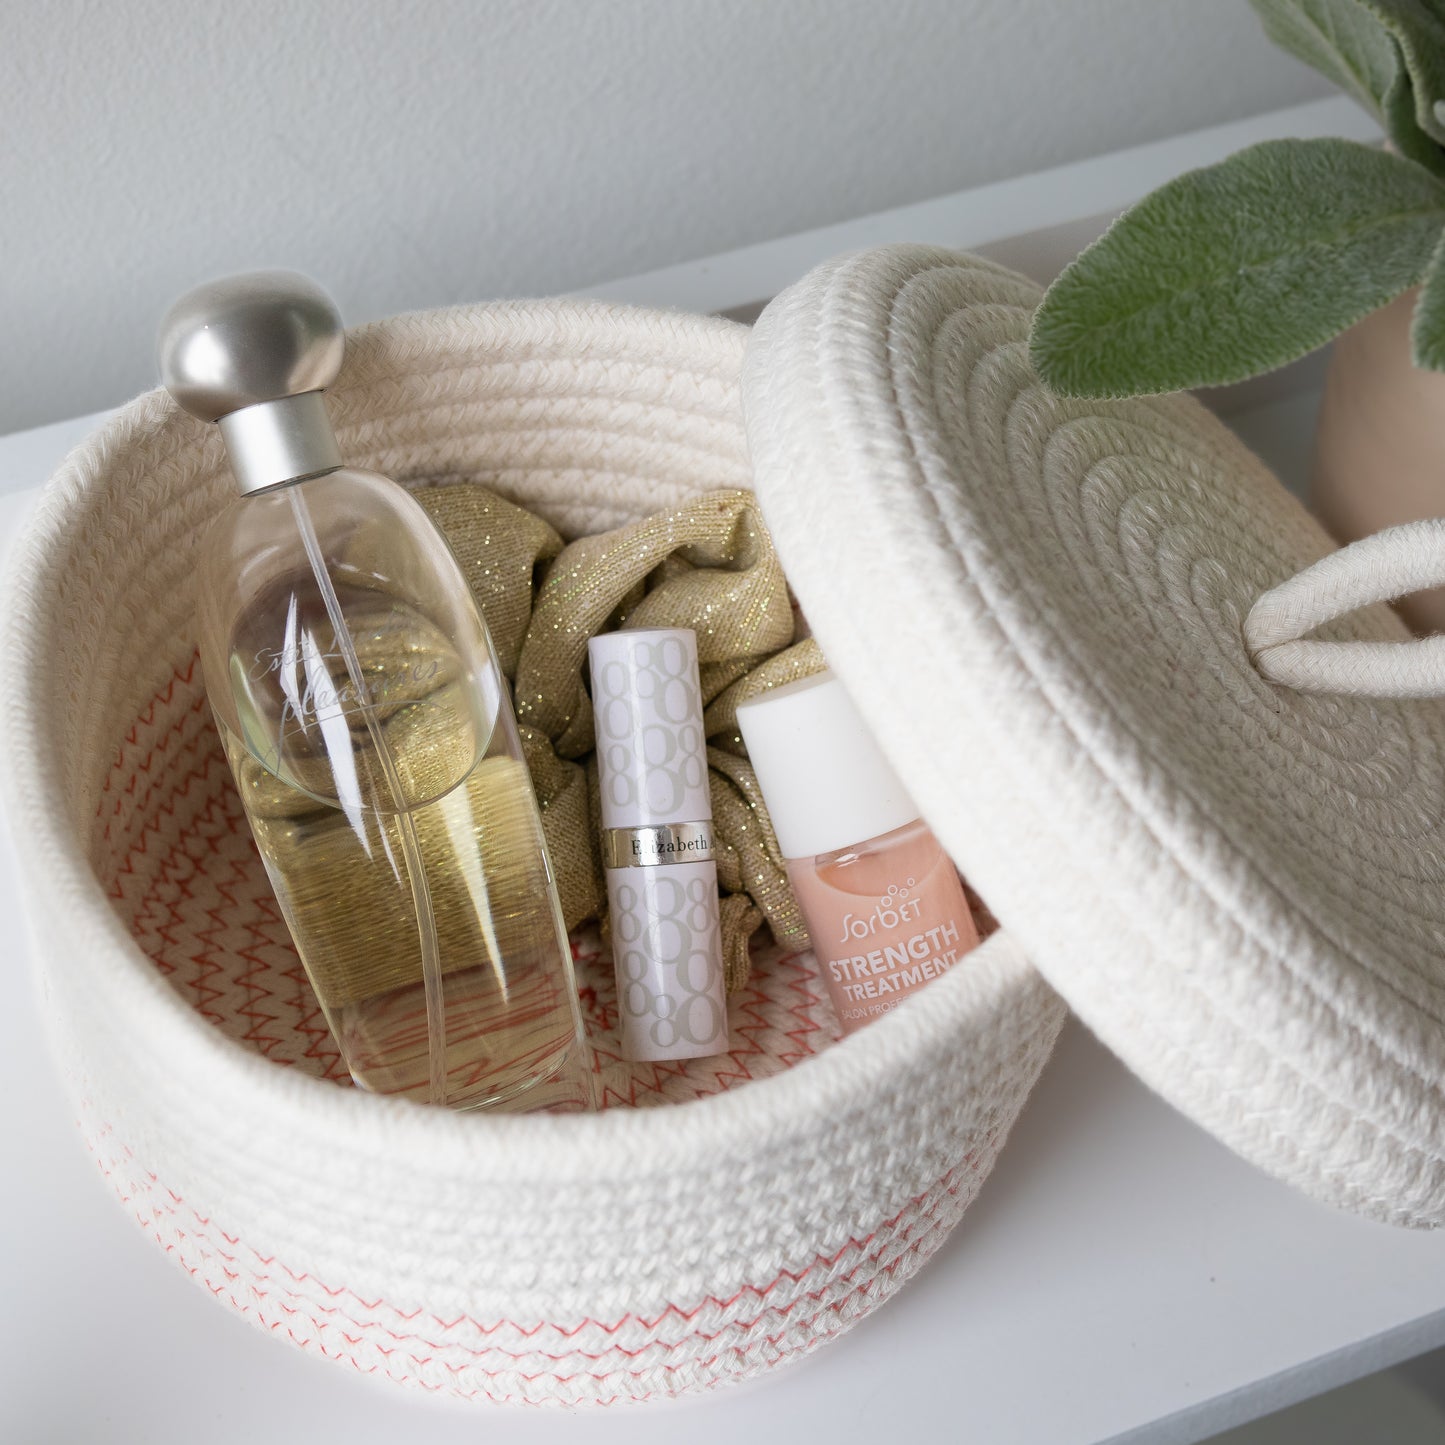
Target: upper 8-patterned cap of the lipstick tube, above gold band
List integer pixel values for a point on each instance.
(652, 758)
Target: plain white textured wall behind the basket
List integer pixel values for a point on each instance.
(411, 155)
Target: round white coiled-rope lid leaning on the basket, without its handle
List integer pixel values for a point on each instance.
(1038, 608)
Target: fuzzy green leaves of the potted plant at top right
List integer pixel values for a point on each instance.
(1241, 268)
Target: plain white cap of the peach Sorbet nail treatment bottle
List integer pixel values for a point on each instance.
(826, 782)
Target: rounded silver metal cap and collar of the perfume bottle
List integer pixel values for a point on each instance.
(255, 353)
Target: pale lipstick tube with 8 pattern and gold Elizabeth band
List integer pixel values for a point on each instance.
(663, 885)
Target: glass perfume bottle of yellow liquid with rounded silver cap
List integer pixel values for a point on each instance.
(369, 730)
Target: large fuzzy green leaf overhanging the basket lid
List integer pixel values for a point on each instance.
(1239, 269)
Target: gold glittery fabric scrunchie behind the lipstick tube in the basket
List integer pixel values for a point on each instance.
(707, 566)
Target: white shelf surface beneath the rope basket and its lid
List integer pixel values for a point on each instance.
(1121, 1278)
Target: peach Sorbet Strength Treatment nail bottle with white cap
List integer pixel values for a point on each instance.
(884, 904)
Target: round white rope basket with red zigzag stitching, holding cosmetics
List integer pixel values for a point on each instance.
(642, 1252)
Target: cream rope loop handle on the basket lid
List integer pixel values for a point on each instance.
(1375, 570)
